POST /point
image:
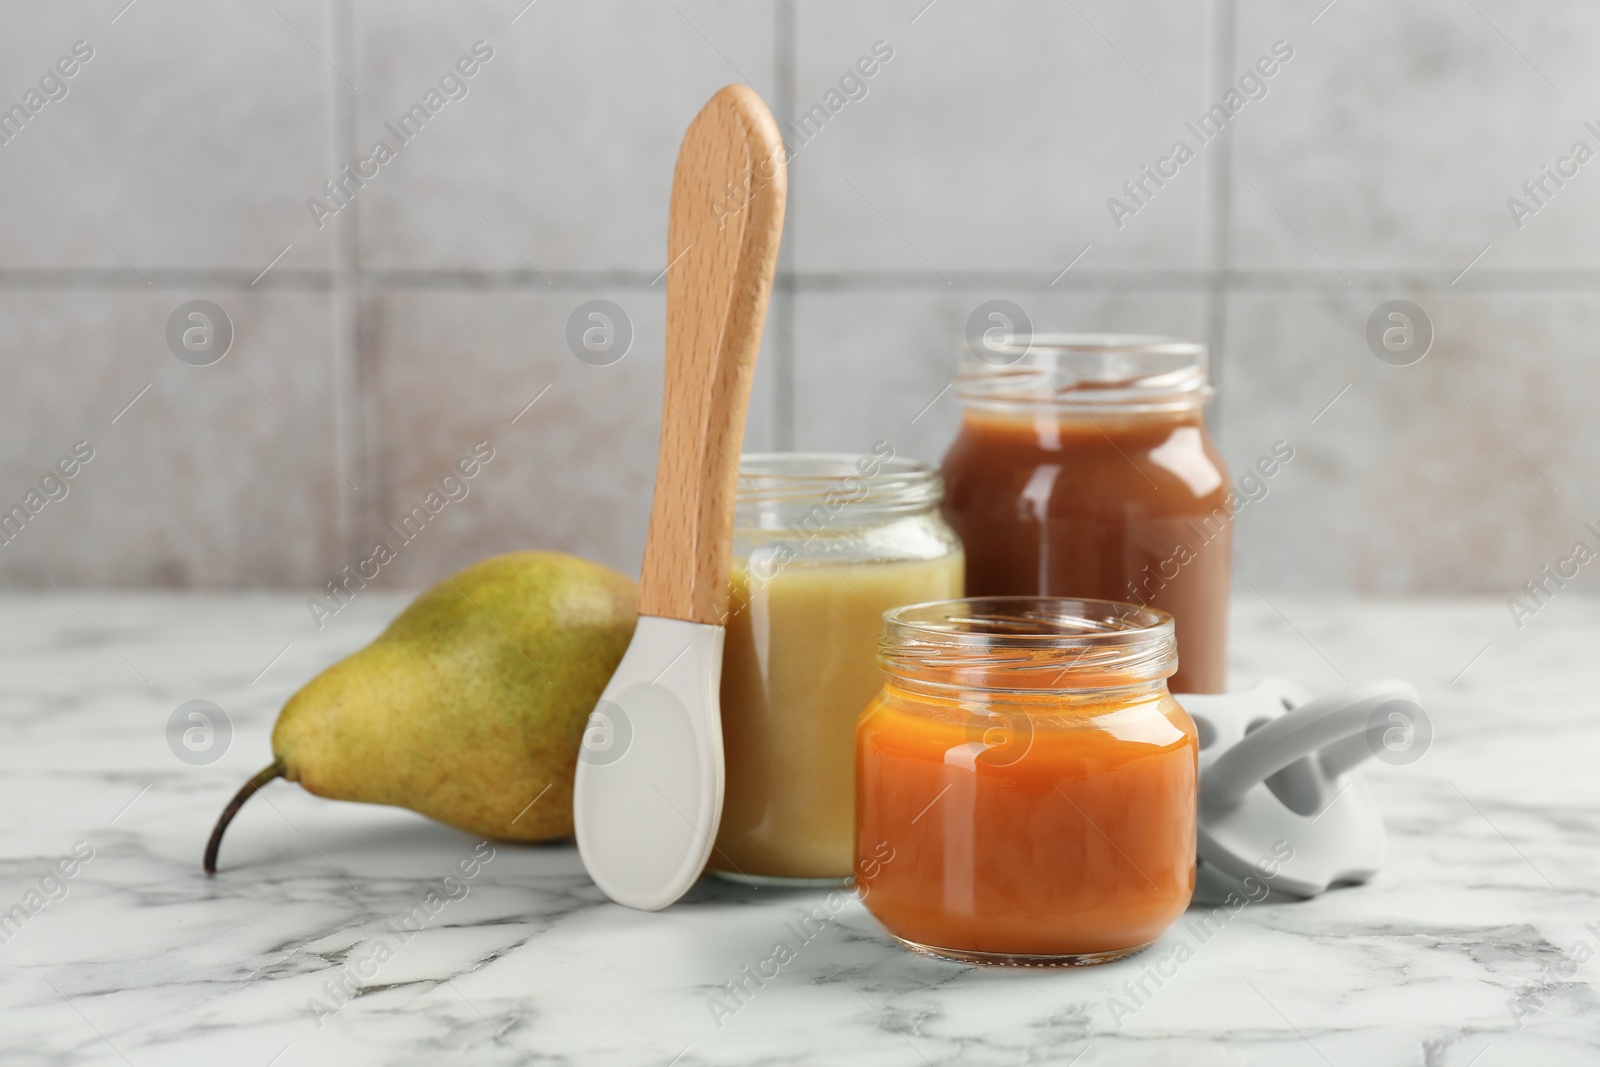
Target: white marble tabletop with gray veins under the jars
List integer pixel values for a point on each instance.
(1471, 946)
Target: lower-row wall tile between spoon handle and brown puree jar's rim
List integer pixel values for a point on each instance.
(878, 366)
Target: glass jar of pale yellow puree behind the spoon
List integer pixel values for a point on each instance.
(825, 545)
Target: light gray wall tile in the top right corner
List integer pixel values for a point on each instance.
(1398, 134)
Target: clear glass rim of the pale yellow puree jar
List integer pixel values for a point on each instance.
(780, 486)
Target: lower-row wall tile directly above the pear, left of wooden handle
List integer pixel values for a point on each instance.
(575, 473)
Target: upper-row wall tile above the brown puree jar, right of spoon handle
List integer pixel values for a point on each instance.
(996, 135)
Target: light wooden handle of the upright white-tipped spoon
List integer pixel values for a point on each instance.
(722, 249)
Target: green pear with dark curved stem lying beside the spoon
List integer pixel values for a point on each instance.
(470, 708)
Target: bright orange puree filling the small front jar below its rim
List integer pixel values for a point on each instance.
(1054, 823)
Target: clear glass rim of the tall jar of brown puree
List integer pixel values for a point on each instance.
(1087, 372)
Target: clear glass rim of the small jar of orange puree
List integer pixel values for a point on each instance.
(1028, 644)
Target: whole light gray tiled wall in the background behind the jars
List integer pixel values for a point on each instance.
(374, 353)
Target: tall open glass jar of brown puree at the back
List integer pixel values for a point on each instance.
(1084, 468)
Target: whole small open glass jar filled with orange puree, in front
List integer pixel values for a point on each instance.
(1026, 786)
